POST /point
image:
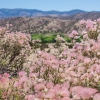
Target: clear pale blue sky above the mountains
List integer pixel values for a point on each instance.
(45, 5)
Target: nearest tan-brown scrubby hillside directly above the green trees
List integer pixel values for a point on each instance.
(39, 25)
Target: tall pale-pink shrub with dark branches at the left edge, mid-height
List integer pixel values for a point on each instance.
(14, 48)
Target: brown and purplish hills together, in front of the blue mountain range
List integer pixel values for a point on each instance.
(51, 24)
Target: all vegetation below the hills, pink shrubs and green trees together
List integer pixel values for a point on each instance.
(58, 72)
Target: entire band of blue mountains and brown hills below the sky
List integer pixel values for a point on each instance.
(36, 21)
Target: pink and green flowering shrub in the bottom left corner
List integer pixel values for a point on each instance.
(7, 91)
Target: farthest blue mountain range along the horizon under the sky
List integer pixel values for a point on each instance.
(5, 13)
